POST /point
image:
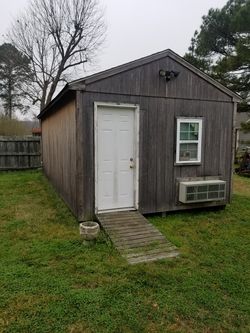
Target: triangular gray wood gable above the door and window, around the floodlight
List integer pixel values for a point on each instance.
(145, 81)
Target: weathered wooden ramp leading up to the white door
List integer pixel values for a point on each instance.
(135, 238)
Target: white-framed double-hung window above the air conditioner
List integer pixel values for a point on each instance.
(188, 146)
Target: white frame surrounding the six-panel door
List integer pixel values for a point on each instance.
(136, 109)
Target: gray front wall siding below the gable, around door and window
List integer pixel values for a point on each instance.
(158, 173)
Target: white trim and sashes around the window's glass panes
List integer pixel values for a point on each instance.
(178, 141)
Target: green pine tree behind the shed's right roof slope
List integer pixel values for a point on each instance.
(222, 47)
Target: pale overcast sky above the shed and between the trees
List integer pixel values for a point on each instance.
(137, 28)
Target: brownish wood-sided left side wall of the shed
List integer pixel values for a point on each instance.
(59, 152)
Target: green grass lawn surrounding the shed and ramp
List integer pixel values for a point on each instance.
(50, 282)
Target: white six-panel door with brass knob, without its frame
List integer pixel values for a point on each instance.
(115, 158)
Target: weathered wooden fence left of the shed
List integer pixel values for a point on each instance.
(18, 153)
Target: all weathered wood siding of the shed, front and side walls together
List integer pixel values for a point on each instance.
(68, 136)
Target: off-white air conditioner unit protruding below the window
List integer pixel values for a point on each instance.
(202, 191)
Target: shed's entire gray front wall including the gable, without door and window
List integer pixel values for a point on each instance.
(160, 104)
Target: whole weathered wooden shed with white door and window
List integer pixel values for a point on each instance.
(152, 135)
